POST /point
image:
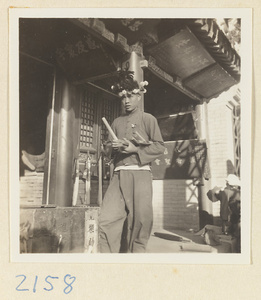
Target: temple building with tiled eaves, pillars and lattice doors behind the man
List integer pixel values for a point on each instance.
(66, 69)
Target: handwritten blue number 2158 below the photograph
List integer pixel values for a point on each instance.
(68, 280)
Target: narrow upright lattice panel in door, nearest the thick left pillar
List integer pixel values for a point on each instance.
(87, 119)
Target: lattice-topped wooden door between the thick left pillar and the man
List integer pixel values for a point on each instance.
(95, 104)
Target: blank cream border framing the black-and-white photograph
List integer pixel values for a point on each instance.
(246, 103)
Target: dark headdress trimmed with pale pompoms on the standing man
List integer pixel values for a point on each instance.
(127, 85)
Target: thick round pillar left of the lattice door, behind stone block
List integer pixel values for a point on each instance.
(59, 184)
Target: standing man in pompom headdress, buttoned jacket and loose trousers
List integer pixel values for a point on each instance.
(129, 194)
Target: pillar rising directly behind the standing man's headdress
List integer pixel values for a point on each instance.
(132, 63)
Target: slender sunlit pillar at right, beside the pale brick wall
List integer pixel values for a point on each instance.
(205, 205)
